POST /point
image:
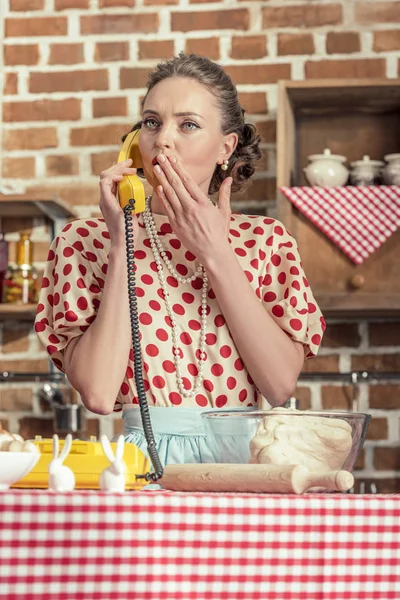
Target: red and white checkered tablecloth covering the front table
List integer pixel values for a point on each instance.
(165, 545)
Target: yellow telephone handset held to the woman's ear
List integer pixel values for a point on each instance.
(131, 187)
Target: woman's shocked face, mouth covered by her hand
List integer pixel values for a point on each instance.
(180, 119)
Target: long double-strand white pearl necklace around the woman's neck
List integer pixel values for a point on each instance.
(160, 253)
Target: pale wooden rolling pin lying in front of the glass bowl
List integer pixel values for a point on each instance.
(281, 479)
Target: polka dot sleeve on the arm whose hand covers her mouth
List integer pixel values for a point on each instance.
(286, 293)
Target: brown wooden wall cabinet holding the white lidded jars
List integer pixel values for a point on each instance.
(352, 118)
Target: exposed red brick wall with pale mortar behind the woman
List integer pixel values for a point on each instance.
(72, 78)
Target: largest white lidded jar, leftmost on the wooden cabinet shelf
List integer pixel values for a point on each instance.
(326, 169)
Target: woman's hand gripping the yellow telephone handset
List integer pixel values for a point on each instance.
(109, 203)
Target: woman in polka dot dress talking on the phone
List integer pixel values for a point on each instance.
(226, 313)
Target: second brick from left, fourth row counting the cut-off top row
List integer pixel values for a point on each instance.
(68, 81)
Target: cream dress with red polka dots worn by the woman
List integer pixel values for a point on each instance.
(75, 276)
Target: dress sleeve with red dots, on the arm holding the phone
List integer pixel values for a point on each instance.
(69, 298)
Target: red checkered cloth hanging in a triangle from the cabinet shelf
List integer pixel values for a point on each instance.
(357, 219)
